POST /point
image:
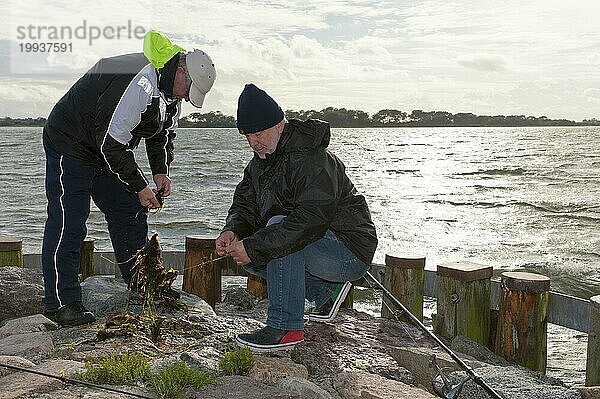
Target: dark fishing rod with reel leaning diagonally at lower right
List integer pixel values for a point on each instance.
(443, 387)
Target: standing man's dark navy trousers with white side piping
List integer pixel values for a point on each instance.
(69, 186)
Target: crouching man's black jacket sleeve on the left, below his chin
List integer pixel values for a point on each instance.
(243, 217)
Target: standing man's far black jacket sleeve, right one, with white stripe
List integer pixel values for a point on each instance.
(159, 147)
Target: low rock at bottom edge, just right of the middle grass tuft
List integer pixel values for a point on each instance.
(242, 387)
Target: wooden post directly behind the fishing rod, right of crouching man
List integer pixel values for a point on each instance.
(405, 278)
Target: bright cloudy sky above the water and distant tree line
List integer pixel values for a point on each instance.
(535, 57)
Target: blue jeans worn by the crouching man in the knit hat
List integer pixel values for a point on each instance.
(313, 273)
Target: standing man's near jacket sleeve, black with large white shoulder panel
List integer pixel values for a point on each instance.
(116, 124)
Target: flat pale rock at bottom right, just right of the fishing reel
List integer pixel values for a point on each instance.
(513, 383)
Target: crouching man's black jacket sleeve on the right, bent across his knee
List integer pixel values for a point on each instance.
(316, 192)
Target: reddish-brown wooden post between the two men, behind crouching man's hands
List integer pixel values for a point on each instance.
(200, 276)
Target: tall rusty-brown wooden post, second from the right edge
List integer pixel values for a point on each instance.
(522, 319)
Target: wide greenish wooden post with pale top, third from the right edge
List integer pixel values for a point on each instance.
(463, 305)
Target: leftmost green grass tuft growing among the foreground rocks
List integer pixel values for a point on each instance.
(127, 369)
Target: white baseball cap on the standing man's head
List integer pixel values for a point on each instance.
(203, 74)
